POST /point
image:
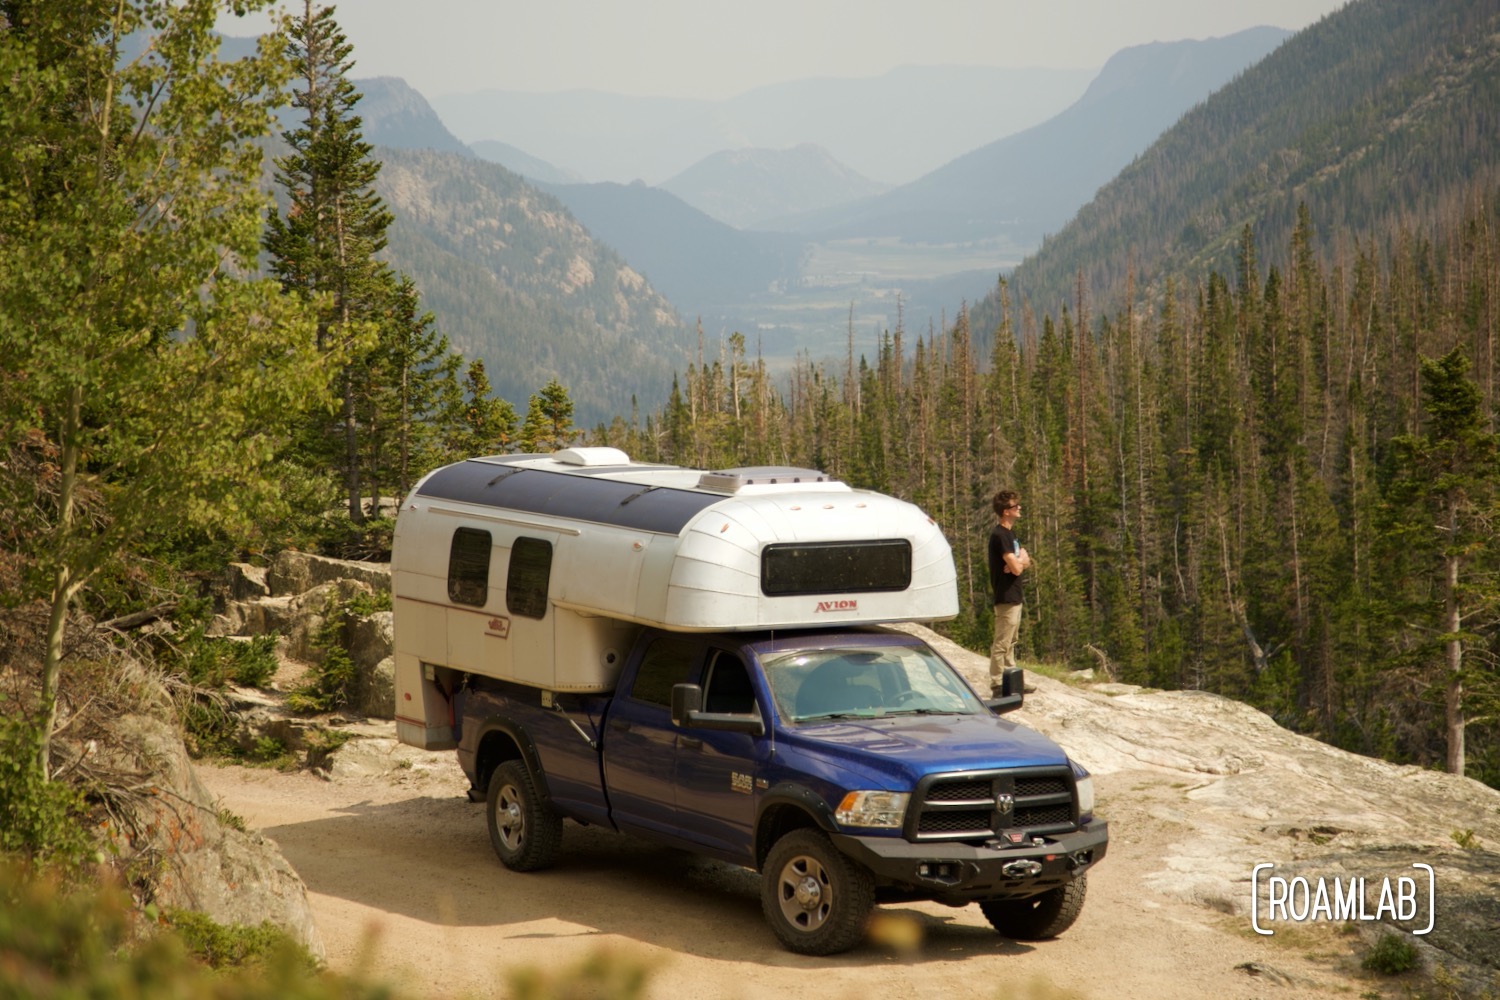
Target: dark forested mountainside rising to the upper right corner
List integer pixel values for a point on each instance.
(1379, 116)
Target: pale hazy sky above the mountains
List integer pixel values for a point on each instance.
(722, 49)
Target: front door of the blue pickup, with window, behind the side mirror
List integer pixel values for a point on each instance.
(716, 771)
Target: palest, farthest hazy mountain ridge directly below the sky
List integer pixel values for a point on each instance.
(890, 128)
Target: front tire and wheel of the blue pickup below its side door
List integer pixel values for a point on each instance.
(817, 900)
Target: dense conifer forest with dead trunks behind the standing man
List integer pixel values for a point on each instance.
(1276, 485)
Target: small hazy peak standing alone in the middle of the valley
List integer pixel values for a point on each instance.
(749, 187)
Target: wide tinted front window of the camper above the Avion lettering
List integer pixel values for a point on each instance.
(836, 567)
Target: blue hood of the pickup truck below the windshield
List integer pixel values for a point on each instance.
(917, 746)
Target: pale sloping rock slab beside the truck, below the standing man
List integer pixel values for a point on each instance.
(1223, 789)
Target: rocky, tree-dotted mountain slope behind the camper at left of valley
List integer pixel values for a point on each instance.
(515, 280)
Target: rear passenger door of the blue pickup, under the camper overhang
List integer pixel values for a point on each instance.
(641, 741)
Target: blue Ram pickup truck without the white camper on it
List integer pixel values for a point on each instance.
(845, 767)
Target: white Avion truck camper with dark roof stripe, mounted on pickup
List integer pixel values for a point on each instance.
(542, 570)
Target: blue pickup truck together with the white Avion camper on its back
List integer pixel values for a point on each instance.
(707, 660)
